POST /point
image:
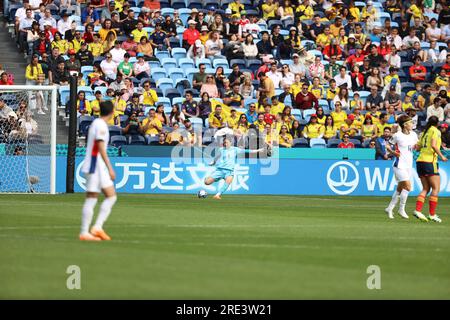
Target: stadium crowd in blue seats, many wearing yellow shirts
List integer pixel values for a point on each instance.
(299, 73)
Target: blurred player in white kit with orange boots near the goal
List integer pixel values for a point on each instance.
(99, 175)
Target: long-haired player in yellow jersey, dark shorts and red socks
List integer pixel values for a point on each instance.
(428, 169)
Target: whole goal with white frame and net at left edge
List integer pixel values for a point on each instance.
(28, 139)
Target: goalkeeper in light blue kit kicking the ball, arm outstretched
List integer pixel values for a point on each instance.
(225, 162)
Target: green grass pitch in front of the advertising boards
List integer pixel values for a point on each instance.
(243, 247)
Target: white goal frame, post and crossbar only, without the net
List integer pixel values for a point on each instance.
(53, 119)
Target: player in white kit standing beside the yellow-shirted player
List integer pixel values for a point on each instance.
(405, 141)
